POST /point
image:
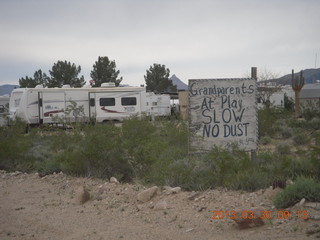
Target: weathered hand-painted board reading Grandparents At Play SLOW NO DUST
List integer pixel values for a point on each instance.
(222, 112)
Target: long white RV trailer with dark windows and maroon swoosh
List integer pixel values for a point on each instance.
(51, 105)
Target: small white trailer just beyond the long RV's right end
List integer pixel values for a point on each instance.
(158, 104)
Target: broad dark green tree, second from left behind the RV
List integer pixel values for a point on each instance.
(63, 73)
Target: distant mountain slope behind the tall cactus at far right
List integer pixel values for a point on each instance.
(310, 76)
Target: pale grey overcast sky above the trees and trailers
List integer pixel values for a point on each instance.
(193, 38)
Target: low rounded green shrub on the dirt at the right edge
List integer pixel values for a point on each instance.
(303, 187)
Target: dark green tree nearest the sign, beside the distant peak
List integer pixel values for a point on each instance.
(157, 79)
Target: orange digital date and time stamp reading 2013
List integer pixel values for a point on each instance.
(285, 214)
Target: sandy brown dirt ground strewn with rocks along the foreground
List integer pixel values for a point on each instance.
(34, 207)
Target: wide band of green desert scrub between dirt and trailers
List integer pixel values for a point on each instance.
(157, 153)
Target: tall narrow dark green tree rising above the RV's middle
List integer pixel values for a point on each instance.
(104, 71)
